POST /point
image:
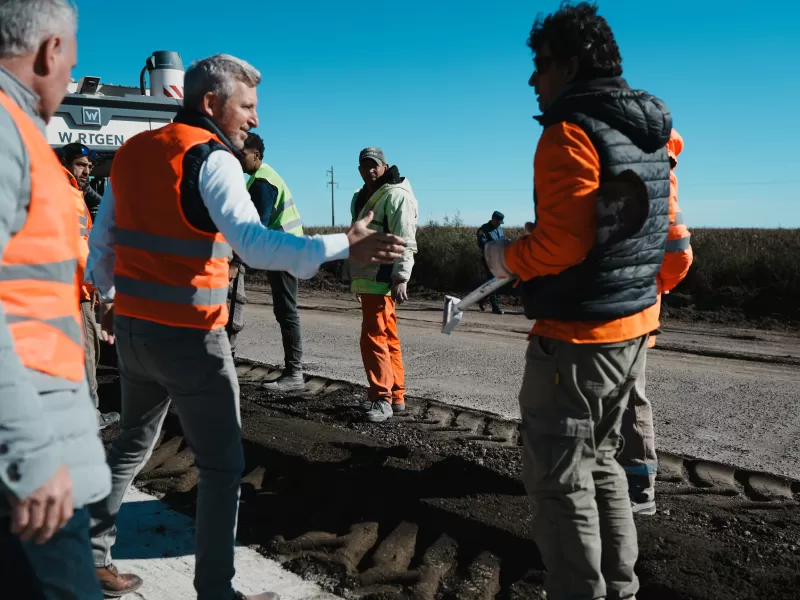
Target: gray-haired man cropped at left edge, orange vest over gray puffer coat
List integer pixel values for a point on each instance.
(51, 459)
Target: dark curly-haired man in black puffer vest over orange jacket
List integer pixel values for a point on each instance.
(588, 269)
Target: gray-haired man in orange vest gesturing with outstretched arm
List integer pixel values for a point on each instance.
(159, 255)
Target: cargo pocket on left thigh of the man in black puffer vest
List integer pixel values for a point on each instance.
(553, 449)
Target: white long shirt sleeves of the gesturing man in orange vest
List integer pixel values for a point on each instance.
(225, 195)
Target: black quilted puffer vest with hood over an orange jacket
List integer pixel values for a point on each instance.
(629, 130)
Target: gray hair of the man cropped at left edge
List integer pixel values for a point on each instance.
(24, 24)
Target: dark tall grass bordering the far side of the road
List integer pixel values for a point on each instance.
(749, 273)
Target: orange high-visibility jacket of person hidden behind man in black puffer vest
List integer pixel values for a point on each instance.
(679, 255)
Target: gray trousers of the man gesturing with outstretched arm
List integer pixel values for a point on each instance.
(194, 369)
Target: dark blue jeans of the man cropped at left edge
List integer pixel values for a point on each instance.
(61, 569)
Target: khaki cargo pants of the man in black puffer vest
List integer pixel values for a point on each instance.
(572, 400)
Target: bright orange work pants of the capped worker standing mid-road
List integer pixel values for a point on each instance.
(380, 349)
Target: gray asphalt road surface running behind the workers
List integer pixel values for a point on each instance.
(741, 412)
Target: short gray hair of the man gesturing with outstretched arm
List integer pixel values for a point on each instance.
(216, 74)
